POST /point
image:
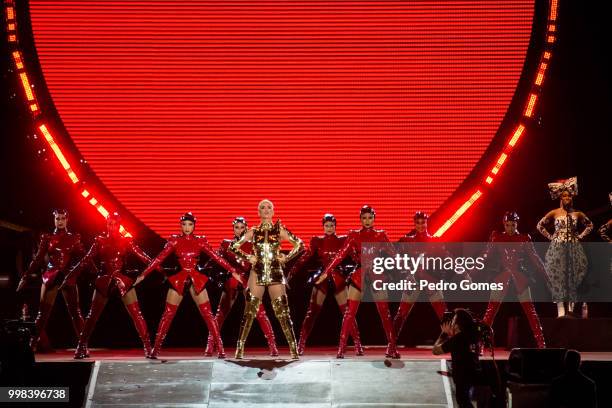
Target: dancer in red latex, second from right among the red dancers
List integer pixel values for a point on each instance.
(420, 234)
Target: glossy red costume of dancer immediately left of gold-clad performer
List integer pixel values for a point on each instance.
(232, 285)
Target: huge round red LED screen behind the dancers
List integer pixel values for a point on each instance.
(210, 106)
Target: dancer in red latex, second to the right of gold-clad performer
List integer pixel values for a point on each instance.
(352, 247)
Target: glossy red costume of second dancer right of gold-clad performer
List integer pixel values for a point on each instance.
(352, 248)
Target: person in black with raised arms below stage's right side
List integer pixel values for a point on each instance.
(460, 338)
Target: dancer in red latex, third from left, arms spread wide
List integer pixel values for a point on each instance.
(187, 248)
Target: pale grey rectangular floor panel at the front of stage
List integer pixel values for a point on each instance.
(269, 383)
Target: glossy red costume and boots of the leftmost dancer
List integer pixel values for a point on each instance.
(61, 248)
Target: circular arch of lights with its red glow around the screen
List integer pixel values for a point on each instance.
(89, 188)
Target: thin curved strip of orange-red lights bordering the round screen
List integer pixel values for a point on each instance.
(472, 197)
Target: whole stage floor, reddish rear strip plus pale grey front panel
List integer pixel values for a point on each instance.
(184, 377)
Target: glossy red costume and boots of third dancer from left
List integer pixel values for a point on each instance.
(187, 248)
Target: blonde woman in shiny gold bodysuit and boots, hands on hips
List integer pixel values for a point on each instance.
(267, 272)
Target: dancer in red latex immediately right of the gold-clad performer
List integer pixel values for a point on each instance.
(324, 248)
